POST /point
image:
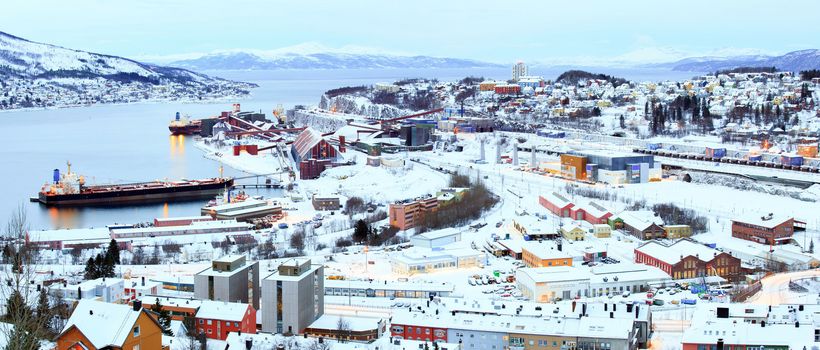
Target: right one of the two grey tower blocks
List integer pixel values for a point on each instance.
(293, 297)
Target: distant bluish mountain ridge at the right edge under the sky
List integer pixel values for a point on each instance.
(794, 61)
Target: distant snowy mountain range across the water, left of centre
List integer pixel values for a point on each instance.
(329, 60)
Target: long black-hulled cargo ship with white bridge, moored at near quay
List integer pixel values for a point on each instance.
(70, 190)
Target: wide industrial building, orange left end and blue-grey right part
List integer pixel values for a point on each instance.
(610, 167)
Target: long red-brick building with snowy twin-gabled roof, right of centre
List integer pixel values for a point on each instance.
(687, 259)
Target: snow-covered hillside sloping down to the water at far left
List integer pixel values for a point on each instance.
(42, 75)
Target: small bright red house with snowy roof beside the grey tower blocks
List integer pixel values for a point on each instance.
(216, 319)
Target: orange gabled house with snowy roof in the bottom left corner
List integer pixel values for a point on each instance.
(98, 325)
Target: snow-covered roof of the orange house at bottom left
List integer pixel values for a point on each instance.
(104, 324)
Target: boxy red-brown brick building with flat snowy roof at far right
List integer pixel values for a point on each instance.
(766, 229)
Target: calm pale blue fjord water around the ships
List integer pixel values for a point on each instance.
(126, 143)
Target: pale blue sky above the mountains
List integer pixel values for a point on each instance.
(494, 31)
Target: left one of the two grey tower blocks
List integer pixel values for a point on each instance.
(229, 279)
